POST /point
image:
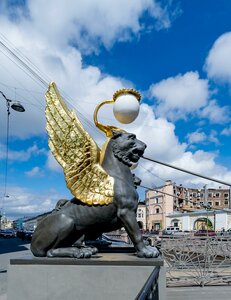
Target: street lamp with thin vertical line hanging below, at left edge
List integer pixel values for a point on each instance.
(17, 106)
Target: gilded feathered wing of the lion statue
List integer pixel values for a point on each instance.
(76, 152)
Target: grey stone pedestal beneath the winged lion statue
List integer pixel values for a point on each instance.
(105, 276)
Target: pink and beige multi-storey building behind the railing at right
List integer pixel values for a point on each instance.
(170, 198)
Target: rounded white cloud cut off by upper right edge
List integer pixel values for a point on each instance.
(218, 62)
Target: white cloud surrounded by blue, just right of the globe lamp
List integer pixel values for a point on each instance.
(179, 96)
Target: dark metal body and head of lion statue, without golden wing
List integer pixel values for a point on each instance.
(73, 220)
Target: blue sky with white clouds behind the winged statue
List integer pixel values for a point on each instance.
(176, 53)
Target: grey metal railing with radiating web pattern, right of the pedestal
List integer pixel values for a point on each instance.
(197, 260)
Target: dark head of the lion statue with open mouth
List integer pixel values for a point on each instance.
(127, 148)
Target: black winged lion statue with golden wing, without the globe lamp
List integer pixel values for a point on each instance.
(101, 181)
